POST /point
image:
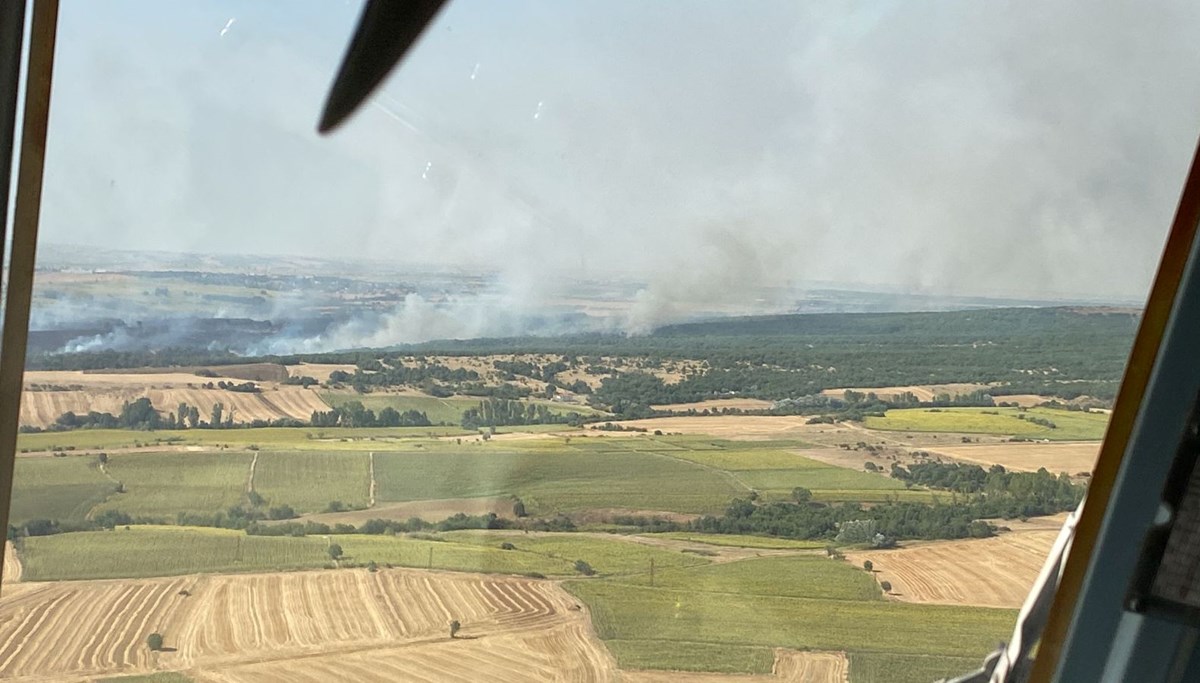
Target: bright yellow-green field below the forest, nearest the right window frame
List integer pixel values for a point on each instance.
(1071, 426)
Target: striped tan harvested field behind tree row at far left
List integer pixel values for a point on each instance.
(41, 409)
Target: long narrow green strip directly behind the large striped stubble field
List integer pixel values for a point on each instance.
(145, 552)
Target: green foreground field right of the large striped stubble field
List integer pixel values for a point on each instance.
(746, 606)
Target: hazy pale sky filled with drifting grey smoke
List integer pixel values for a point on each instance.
(951, 147)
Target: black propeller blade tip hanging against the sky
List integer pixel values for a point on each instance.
(386, 33)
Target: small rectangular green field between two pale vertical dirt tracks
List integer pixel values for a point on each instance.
(310, 481)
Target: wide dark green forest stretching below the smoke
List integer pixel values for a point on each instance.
(1059, 352)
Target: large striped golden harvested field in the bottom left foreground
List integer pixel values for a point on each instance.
(271, 627)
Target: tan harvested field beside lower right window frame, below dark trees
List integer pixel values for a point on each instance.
(989, 573)
